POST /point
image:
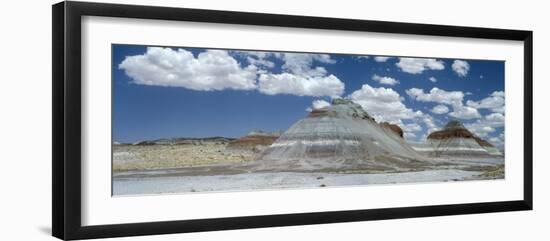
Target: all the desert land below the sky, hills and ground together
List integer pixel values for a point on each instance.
(332, 146)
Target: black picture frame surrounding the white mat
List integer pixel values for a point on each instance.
(66, 76)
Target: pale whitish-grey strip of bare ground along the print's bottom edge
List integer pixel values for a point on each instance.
(258, 181)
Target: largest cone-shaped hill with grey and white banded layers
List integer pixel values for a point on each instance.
(342, 135)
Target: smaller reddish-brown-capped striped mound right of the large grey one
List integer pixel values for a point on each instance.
(455, 140)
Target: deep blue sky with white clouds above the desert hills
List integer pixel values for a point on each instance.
(193, 92)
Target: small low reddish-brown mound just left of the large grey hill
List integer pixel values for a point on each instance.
(255, 141)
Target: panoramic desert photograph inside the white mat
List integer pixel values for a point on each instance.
(196, 120)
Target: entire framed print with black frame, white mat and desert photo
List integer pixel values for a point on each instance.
(169, 120)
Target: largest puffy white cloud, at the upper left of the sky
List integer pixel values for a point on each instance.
(210, 70)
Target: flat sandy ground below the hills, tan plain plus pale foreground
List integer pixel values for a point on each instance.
(158, 169)
